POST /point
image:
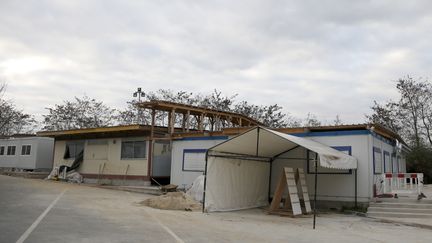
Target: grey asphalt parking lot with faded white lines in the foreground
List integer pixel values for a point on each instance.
(44, 211)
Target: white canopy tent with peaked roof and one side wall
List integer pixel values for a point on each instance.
(238, 171)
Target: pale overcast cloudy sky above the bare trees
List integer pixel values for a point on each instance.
(324, 57)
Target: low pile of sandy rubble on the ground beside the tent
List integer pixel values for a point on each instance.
(173, 201)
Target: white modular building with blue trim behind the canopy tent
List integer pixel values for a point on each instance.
(377, 150)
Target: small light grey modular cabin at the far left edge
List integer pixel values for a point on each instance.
(28, 153)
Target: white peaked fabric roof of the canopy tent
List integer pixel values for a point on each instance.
(263, 142)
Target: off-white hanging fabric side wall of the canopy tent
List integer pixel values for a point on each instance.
(234, 184)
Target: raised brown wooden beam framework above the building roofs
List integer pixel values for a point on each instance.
(204, 119)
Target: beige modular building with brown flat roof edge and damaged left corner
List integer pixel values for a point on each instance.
(114, 155)
